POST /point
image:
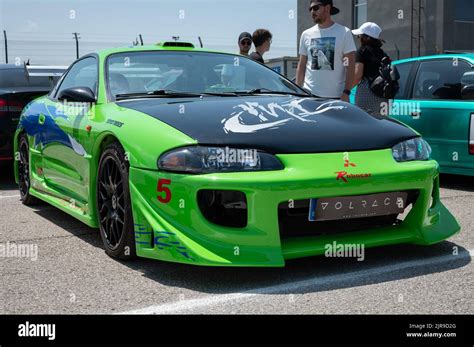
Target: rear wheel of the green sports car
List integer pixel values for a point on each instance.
(24, 178)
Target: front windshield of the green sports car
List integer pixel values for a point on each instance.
(191, 72)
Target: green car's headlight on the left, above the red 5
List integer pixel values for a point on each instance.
(204, 160)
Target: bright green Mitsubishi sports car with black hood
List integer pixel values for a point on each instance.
(206, 158)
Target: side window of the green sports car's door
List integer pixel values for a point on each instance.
(82, 74)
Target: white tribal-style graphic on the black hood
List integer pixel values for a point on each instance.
(253, 111)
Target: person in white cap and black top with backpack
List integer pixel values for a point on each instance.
(368, 60)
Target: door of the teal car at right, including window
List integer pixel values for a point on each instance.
(437, 111)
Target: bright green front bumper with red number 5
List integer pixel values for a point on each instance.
(177, 231)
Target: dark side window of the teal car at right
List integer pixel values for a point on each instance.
(440, 80)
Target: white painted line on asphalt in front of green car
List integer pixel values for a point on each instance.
(186, 305)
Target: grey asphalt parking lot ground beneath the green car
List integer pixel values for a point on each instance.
(73, 275)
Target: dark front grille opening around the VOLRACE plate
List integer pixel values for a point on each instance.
(293, 222)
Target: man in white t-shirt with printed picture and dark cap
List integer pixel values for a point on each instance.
(327, 55)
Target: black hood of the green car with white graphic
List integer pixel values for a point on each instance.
(276, 124)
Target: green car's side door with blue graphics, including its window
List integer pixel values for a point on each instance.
(65, 157)
